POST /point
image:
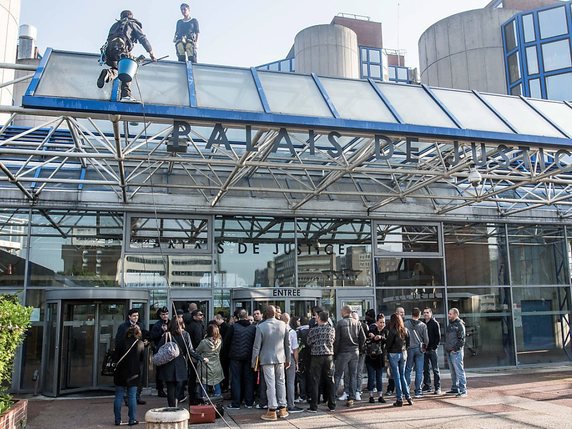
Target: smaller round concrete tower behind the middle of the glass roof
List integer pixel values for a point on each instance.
(327, 50)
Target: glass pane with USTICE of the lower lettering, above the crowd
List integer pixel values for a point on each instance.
(334, 252)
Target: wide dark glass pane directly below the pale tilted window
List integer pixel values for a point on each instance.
(417, 272)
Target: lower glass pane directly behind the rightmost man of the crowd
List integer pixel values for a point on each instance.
(487, 317)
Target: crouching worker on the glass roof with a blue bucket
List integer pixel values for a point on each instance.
(120, 42)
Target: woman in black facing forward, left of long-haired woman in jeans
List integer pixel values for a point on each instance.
(374, 359)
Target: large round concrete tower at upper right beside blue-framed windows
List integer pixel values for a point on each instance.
(465, 51)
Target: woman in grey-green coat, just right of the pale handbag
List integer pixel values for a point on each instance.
(211, 374)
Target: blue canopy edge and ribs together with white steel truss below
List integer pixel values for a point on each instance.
(117, 154)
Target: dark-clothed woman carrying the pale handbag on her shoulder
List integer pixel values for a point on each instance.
(174, 373)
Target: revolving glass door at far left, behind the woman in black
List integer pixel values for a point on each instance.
(79, 332)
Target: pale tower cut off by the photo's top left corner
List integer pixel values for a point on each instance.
(9, 20)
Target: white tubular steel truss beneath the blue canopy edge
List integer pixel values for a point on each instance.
(105, 153)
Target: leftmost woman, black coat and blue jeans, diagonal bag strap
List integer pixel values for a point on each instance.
(129, 352)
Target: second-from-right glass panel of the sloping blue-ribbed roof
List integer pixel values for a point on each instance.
(521, 116)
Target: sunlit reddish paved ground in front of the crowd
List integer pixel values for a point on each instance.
(531, 397)
